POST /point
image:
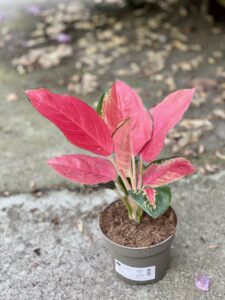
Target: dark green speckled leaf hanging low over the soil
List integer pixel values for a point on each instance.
(163, 200)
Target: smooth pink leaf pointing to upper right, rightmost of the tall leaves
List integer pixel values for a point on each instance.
(165, 116)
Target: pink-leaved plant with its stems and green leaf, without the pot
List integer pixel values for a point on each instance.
(128, 140)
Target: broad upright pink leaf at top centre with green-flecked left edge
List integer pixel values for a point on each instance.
(120, 103)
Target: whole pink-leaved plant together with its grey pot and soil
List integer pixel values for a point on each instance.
(139, 227)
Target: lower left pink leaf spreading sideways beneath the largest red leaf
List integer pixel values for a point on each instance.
(83, 168)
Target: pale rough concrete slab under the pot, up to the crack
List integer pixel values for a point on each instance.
(70, 262)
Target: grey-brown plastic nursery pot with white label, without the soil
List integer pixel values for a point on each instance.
(139, 265)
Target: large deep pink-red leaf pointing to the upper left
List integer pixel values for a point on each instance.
(79, 122)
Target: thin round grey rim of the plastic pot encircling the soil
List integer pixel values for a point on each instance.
(134, 248)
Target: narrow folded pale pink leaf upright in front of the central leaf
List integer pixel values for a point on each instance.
(122, 146)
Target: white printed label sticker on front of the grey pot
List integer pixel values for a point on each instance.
(139, 274)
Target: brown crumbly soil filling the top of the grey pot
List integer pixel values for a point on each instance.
(116, 225)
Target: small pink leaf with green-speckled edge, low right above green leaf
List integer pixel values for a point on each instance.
(167, 172)
